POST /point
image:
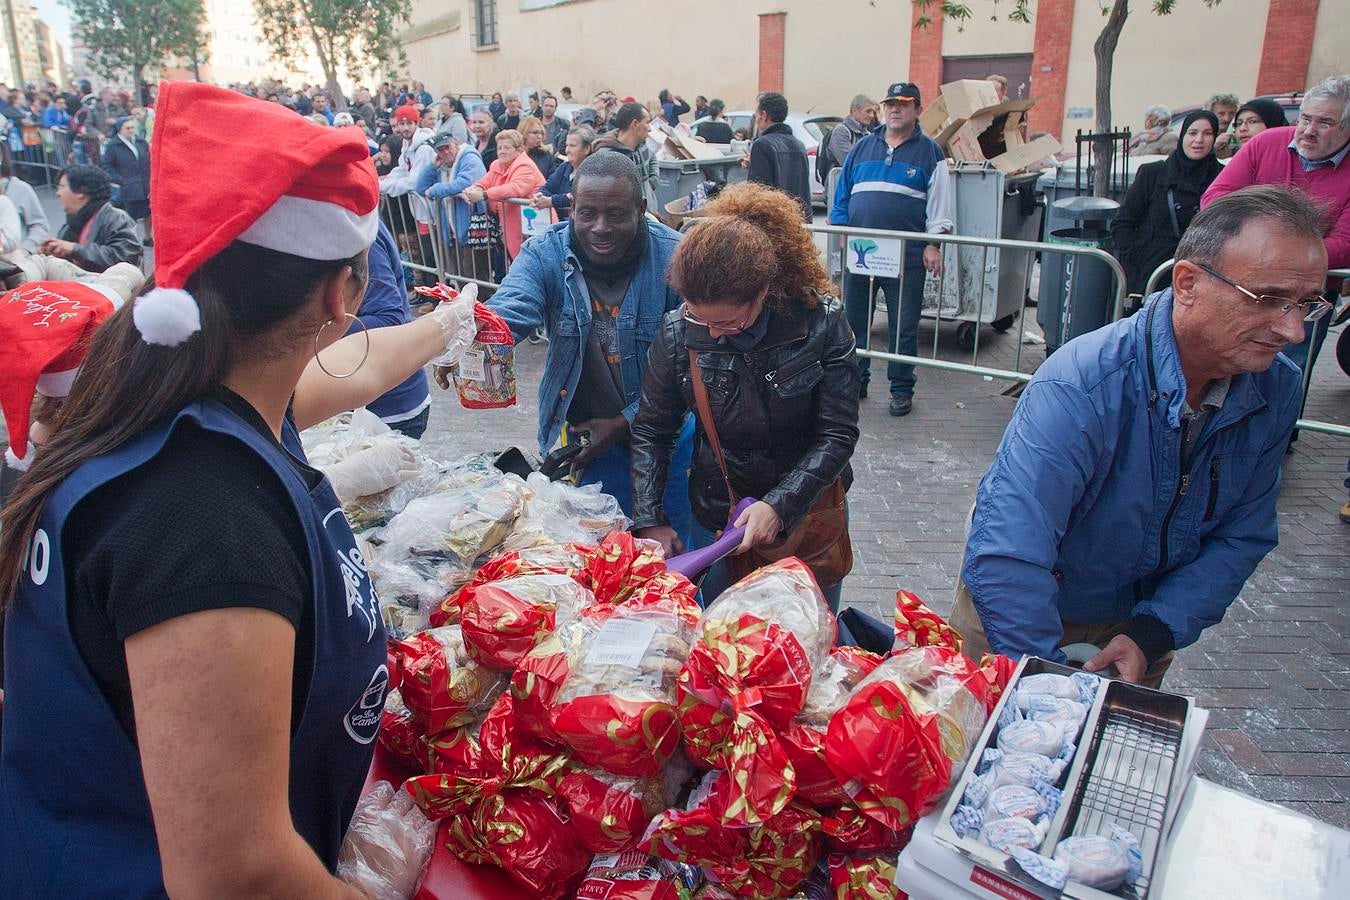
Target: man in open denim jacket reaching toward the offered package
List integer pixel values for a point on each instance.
(597, 283)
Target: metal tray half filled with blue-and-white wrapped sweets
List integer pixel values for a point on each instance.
(1125, 771)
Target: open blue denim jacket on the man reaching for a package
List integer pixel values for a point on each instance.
(546, 288)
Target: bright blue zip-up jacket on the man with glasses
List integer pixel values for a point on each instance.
(1086, 515)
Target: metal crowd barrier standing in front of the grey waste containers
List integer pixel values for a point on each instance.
(838, 265)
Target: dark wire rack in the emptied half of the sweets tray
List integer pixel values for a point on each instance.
(1129, 775)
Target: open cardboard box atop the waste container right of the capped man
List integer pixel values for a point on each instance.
(970, 123)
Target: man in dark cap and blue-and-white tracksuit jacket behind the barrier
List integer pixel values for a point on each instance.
(896, 179)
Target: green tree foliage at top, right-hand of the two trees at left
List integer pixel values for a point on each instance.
(354, 36)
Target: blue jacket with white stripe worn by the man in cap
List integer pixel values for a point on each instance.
(894, 190)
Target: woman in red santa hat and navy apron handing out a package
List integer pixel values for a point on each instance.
(195, 660)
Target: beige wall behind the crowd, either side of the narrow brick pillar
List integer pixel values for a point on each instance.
(691, 47)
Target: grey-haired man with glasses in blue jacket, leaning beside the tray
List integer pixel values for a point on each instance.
(1136, 488)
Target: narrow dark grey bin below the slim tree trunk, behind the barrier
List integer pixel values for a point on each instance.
(1078, 293)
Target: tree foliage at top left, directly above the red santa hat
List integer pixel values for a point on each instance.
(128, 36)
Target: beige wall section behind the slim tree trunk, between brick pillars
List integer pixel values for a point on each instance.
(1179, 60)
